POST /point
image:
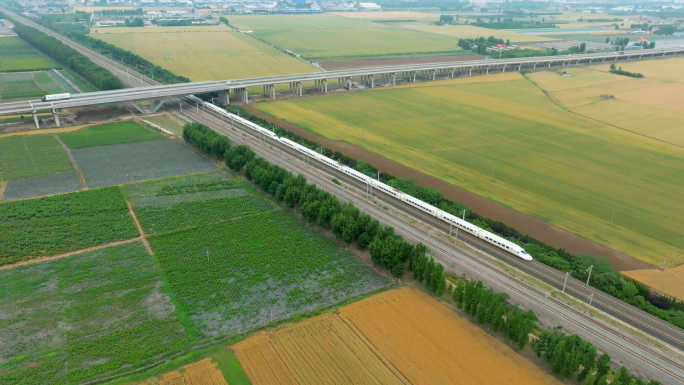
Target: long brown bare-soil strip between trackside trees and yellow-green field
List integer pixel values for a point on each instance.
(527, 225)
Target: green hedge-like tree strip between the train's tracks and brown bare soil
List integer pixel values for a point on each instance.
(603, 277)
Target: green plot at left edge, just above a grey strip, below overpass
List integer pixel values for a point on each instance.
(29, 156)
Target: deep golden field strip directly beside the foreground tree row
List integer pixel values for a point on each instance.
(430, 344)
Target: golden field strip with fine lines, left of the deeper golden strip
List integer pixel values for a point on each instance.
(322, 350)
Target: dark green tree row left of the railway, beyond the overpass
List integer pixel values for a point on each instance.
(69, 57)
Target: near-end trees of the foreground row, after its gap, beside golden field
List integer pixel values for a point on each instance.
(569, 356)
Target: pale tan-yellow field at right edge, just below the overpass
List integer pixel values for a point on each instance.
(652, 106)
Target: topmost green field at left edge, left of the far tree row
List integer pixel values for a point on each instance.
(15, 55)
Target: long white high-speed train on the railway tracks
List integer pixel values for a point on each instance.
(468, 227)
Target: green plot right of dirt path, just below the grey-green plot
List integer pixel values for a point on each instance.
(189, 202)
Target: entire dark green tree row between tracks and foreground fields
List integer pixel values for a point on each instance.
(565, 354)
